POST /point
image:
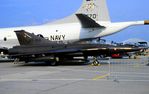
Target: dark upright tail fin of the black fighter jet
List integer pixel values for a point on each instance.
(26, 38)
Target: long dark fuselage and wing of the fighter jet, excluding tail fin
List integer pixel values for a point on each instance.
(66, 50)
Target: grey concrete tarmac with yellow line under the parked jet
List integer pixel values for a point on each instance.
(119, 78)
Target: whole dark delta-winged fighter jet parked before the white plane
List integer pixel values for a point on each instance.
(34, 48)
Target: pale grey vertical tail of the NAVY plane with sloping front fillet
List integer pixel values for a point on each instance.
(95, 9)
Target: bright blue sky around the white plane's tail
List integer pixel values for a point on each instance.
(31, 12)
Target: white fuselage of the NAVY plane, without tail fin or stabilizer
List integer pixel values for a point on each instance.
(64, 32)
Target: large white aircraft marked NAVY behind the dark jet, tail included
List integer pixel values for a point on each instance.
(90, 21)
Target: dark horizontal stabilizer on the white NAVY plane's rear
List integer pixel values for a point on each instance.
(88, 22)
